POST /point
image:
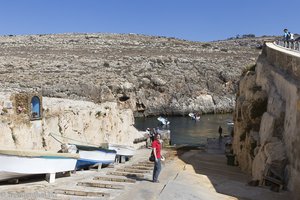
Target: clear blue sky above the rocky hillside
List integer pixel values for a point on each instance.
(195, 20)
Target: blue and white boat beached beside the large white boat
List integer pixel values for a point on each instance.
(90, 155)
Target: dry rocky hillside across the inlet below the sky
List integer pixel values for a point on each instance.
(151, 75)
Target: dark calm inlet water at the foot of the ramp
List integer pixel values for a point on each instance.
(184, 130)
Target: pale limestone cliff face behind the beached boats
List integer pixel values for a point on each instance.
(69, 121)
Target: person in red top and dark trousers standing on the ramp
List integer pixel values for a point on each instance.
(156, 148)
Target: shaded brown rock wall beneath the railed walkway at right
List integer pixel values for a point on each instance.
(267, 116)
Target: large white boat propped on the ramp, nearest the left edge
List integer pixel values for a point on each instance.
(19, 163)
